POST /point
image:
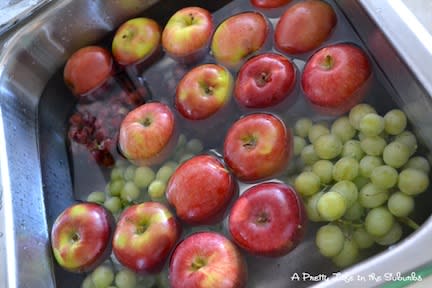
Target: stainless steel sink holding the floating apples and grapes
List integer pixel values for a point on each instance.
(35, 174)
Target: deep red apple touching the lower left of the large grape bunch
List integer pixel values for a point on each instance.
(268, 219)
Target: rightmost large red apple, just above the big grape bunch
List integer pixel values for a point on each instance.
(335, 78)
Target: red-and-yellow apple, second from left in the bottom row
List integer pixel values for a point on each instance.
(144, 237)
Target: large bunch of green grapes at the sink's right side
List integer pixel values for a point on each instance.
(360, 175)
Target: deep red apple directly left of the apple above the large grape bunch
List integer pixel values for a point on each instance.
(264, 81)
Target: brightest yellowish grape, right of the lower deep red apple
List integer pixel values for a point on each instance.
(331, 206)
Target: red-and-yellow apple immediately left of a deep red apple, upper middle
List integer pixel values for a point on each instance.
(203, 91)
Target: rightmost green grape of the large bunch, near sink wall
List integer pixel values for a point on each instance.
(413, 181)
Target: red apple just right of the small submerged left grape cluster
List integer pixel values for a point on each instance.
(200, 190)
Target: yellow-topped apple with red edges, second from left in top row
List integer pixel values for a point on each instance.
(136, 40)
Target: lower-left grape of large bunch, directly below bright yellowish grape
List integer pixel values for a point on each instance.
(329, 240)
